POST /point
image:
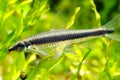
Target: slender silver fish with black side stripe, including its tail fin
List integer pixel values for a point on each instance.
(58, 37)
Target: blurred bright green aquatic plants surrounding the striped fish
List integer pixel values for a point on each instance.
(22, 18)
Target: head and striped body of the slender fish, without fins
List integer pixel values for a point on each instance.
(56, 37)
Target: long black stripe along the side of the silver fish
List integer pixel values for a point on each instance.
(63, 37)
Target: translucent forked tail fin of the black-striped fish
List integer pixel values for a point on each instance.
(114, 24)
